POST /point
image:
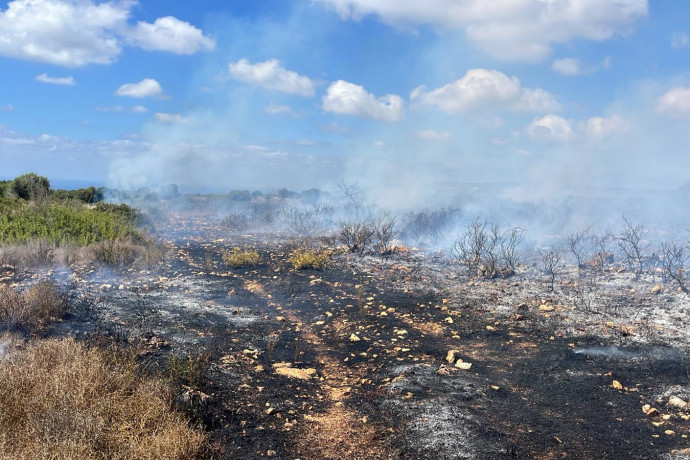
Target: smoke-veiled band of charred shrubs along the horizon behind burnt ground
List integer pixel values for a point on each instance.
(489, 231)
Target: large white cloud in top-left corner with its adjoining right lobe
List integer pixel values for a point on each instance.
(75, 33)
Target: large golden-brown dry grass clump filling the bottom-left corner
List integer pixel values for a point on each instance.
(63, 400)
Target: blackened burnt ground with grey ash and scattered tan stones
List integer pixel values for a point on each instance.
(351, 361)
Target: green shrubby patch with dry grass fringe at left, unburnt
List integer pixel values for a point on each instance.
(39, 226)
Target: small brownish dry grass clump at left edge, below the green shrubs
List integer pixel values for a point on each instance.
(40, 304)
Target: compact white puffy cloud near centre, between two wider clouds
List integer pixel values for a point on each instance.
(349, 99)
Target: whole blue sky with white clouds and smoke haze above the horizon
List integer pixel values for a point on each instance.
(399, 94)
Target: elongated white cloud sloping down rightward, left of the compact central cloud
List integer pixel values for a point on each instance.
(271, 75)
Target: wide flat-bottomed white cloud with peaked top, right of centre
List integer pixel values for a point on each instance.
(482, 89)
